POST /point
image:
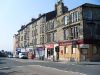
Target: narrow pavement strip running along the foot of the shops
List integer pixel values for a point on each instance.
(62, 62)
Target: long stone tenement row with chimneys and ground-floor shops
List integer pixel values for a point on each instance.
(62, 34)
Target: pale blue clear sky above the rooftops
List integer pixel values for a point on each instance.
(15, 13)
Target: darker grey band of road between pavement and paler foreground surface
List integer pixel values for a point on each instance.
(89, 69)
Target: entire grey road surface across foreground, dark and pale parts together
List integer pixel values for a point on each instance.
(49, 67)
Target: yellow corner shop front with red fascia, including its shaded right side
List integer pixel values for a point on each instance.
(78, 50)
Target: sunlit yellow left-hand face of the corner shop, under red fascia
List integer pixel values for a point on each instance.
(69, 51)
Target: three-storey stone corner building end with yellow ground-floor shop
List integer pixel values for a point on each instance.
(81, 34)
